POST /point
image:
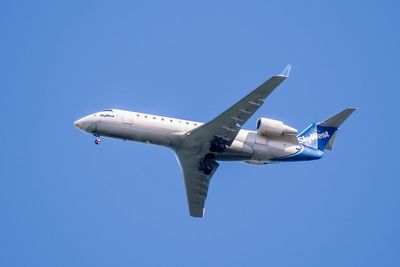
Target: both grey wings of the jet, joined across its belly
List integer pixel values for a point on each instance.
(193, 153)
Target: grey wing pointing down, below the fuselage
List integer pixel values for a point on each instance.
(196, 182)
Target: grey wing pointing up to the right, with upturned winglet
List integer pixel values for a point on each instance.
(227, 125)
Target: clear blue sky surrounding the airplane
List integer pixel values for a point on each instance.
(66, 202)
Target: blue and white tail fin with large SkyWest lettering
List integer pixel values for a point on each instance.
(322, 135)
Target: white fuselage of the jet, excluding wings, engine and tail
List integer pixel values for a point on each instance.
(248, 146)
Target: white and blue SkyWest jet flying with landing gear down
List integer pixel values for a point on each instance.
(199, 147)
